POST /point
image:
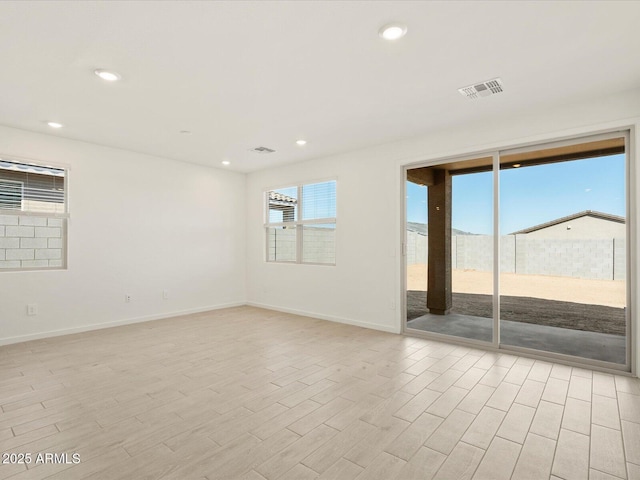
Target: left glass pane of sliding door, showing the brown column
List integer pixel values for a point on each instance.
(450, 249)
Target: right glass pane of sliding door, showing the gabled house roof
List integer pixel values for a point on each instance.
(563, 257)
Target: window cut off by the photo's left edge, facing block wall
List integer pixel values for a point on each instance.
(33, 216)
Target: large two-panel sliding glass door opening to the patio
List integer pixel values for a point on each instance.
(524, 249)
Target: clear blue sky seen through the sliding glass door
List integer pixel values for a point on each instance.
(530, 195)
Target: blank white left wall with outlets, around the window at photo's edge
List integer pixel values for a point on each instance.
(138, 225)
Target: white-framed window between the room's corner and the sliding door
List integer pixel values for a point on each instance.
(301, 223)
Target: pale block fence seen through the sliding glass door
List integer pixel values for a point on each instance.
(602, 259)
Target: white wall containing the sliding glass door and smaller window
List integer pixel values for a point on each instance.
(366, 281)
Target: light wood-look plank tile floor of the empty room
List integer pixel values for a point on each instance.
(245, 393)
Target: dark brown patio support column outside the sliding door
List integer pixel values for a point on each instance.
(439, 299)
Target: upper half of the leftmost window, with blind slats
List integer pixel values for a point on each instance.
(32, 188)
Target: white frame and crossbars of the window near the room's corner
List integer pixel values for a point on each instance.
(298, 223)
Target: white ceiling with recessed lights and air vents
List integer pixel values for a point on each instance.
(260, 73)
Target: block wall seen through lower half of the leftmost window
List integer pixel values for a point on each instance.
(31, 241)
